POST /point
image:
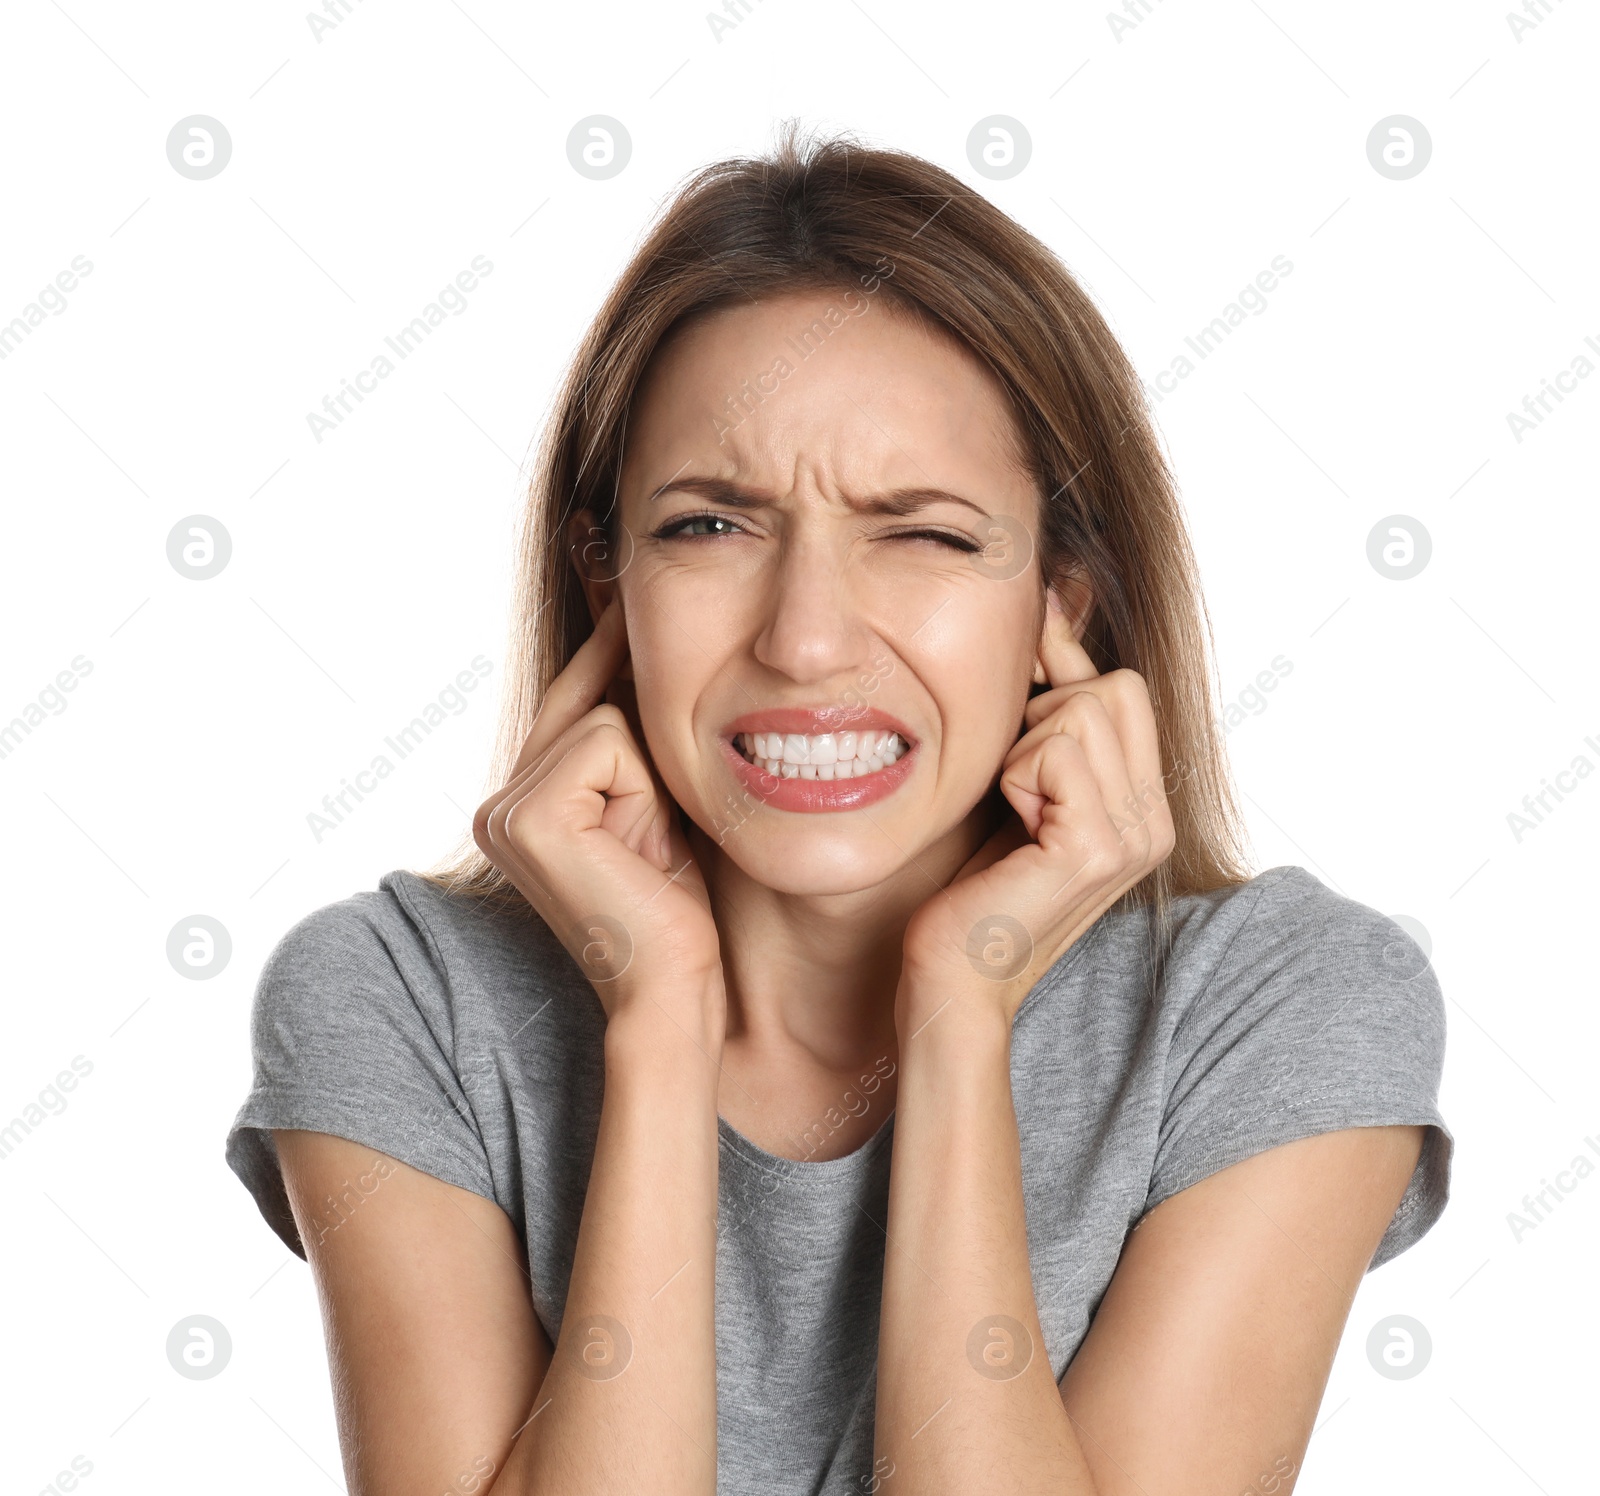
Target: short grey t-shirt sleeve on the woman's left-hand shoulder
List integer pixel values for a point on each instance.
(351, 1034)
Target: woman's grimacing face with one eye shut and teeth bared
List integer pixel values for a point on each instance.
(828, 540)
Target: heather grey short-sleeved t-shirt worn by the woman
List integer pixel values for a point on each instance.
(470, 1046)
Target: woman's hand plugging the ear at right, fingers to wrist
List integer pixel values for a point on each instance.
(1092, 820)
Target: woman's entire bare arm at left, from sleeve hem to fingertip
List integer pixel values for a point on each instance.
(431, 1377)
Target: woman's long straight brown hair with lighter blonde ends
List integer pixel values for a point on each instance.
(831, 215)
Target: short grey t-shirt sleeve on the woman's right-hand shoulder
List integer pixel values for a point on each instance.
(1321, 1015)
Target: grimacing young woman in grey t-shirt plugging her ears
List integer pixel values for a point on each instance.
(855, 1055)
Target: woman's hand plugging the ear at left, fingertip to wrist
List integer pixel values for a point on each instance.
(591, 839)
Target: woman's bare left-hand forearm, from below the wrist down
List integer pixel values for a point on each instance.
(630, 1402)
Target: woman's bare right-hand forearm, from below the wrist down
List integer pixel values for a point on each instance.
(967, 1399)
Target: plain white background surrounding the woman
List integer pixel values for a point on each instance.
(367, 170)
